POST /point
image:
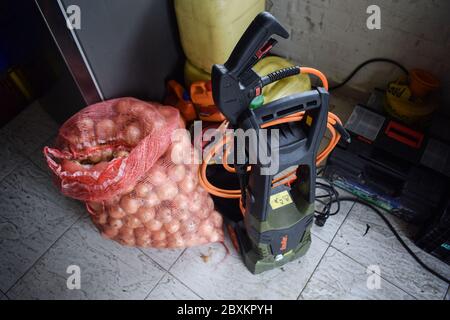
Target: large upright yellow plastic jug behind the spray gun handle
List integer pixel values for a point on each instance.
(210, 29)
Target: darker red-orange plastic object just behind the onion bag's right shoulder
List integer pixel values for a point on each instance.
(177, 96)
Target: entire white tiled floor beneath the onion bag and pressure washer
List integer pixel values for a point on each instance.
(42, 233)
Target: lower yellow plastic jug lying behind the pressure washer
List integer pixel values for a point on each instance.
(267, 65)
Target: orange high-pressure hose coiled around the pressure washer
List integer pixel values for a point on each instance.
(289, 177)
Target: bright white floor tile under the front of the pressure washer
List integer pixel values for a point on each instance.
(210, 273)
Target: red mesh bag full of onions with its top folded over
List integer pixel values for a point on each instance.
(119, 156)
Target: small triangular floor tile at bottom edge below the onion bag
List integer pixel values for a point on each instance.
(169, 288)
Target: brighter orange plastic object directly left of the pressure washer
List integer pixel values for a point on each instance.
(201, 95)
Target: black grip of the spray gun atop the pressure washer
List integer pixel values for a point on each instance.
(255, 43)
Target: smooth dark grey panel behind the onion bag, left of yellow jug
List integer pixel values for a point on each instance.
(132, 46)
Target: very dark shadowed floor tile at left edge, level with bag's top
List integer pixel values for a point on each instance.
(31, 128)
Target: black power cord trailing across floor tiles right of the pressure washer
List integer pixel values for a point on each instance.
(333, 197)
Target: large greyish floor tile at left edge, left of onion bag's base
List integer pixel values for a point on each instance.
(33, 215)
